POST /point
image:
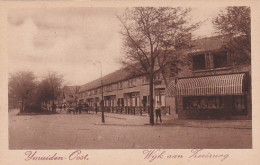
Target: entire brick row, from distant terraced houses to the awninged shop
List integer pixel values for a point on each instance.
(210, 86)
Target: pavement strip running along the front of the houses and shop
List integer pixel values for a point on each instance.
(137, 120)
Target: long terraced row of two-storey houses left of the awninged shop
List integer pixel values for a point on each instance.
(124, 93)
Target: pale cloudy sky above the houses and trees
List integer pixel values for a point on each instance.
(73, 42)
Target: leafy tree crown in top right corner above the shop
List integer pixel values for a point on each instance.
(236, 22)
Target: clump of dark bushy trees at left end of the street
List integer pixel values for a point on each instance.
(24, 89)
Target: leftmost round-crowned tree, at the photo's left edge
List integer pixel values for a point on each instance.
(20, 87)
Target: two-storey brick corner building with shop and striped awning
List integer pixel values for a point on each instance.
(211, 85)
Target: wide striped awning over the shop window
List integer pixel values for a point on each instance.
(231, 84)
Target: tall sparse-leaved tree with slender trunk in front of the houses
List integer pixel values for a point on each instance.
(153, 38)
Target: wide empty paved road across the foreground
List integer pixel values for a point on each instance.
(85, 131)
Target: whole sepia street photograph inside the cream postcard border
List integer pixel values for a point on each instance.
(129, 78)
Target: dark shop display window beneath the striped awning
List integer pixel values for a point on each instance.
(204, 102)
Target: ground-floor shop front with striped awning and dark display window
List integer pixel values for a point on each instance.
(212, 97)
